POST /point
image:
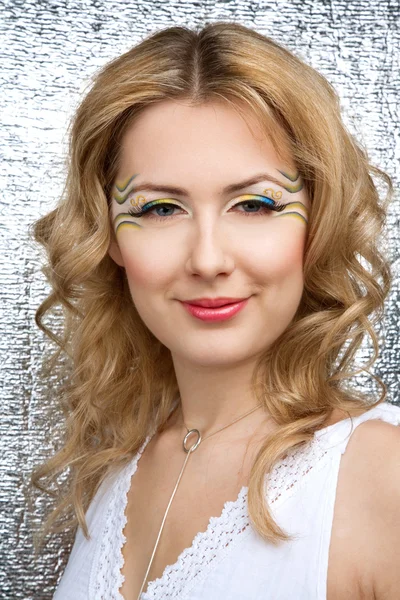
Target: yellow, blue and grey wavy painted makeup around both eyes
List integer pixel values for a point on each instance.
(268, 203)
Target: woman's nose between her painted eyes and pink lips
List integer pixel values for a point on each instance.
(209, 251)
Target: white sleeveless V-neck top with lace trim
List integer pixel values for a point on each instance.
(230, 559)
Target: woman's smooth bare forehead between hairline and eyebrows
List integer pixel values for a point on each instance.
(174, 138)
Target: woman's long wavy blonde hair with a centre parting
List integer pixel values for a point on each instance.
(122, 380)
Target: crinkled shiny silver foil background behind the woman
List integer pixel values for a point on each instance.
(48, 52)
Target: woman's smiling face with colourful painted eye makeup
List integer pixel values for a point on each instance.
(206, 240)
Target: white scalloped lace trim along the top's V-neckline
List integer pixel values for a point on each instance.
(208, 547)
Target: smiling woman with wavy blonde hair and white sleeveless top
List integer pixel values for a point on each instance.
(216, 256)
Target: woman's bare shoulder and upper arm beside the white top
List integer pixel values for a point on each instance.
(373, 452)
